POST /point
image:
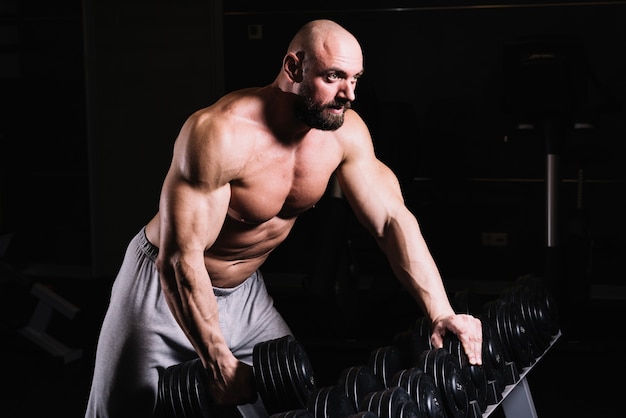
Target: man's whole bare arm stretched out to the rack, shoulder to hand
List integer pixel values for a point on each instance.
(375, 196)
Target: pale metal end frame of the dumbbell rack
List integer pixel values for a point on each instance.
(517, 400)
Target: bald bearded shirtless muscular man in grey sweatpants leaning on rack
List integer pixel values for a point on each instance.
(242, 171)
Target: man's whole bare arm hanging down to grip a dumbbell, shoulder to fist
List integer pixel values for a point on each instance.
(193, 205)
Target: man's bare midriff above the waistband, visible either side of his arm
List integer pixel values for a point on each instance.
(239, 250)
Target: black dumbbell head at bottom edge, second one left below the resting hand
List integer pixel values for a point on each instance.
(421, 387)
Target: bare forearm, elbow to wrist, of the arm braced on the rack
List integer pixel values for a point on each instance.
(413, 264)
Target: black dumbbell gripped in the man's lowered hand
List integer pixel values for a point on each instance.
(282, 371)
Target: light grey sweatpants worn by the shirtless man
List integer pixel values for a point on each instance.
(139, 337)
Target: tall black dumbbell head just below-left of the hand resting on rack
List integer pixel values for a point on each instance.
(445, 370)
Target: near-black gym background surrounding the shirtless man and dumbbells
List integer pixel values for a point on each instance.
(92, 95)
